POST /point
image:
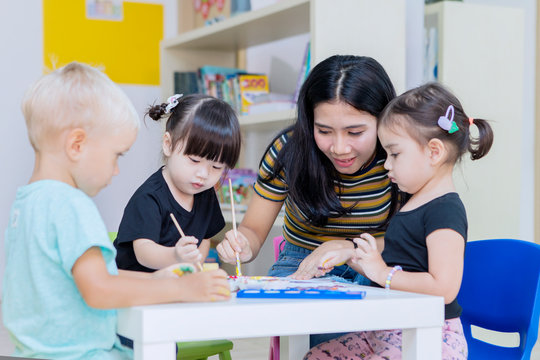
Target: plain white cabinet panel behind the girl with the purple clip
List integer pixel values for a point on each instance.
(481, 58)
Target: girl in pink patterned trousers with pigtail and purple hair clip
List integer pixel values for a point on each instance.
(425, 132)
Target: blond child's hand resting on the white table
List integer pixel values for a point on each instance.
(205, 286)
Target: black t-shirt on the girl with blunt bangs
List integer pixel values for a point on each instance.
(147, 216)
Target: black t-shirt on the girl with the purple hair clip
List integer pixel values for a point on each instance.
(405, 238)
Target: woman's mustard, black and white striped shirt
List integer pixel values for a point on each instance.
(368, 191)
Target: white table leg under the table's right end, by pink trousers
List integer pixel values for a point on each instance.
(422, 344)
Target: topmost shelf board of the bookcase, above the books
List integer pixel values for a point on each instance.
(285, 18)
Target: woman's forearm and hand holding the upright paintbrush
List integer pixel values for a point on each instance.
(252, 232)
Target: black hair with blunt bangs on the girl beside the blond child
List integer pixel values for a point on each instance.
(208, 127)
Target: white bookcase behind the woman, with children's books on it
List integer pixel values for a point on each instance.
(373, 28)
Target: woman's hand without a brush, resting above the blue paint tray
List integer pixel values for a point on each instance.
(309, 267)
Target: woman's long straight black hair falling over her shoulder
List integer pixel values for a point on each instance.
(358, 81)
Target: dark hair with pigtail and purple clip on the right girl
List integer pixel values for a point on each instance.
(417, 111)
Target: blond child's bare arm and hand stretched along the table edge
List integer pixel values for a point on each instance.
(102, 290)
